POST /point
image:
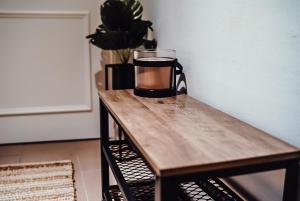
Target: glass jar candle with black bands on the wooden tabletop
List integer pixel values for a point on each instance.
(155, 73)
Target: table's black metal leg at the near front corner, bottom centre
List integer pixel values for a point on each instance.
(165, 189)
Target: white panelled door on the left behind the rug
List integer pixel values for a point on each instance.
(47, 68)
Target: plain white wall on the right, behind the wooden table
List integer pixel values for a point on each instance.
(240, 56)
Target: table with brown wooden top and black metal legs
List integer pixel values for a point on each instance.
(182, 138)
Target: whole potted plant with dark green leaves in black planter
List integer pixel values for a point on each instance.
(121, 31)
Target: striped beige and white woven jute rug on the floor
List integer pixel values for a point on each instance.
(45, 181)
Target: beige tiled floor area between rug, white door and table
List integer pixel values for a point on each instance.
(84, 154)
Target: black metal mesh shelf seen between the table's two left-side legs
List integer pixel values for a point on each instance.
(131, 171)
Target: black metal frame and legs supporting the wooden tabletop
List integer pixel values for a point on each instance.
(165, 186)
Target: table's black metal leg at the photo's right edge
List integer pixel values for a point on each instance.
(291, 181)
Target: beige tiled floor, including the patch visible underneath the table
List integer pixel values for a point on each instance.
(86, 159)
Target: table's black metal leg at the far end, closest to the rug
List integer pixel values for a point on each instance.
(103, 140)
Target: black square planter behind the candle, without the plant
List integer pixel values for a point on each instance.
(122, 76)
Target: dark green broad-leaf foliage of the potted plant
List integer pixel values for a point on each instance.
(122, 28)
